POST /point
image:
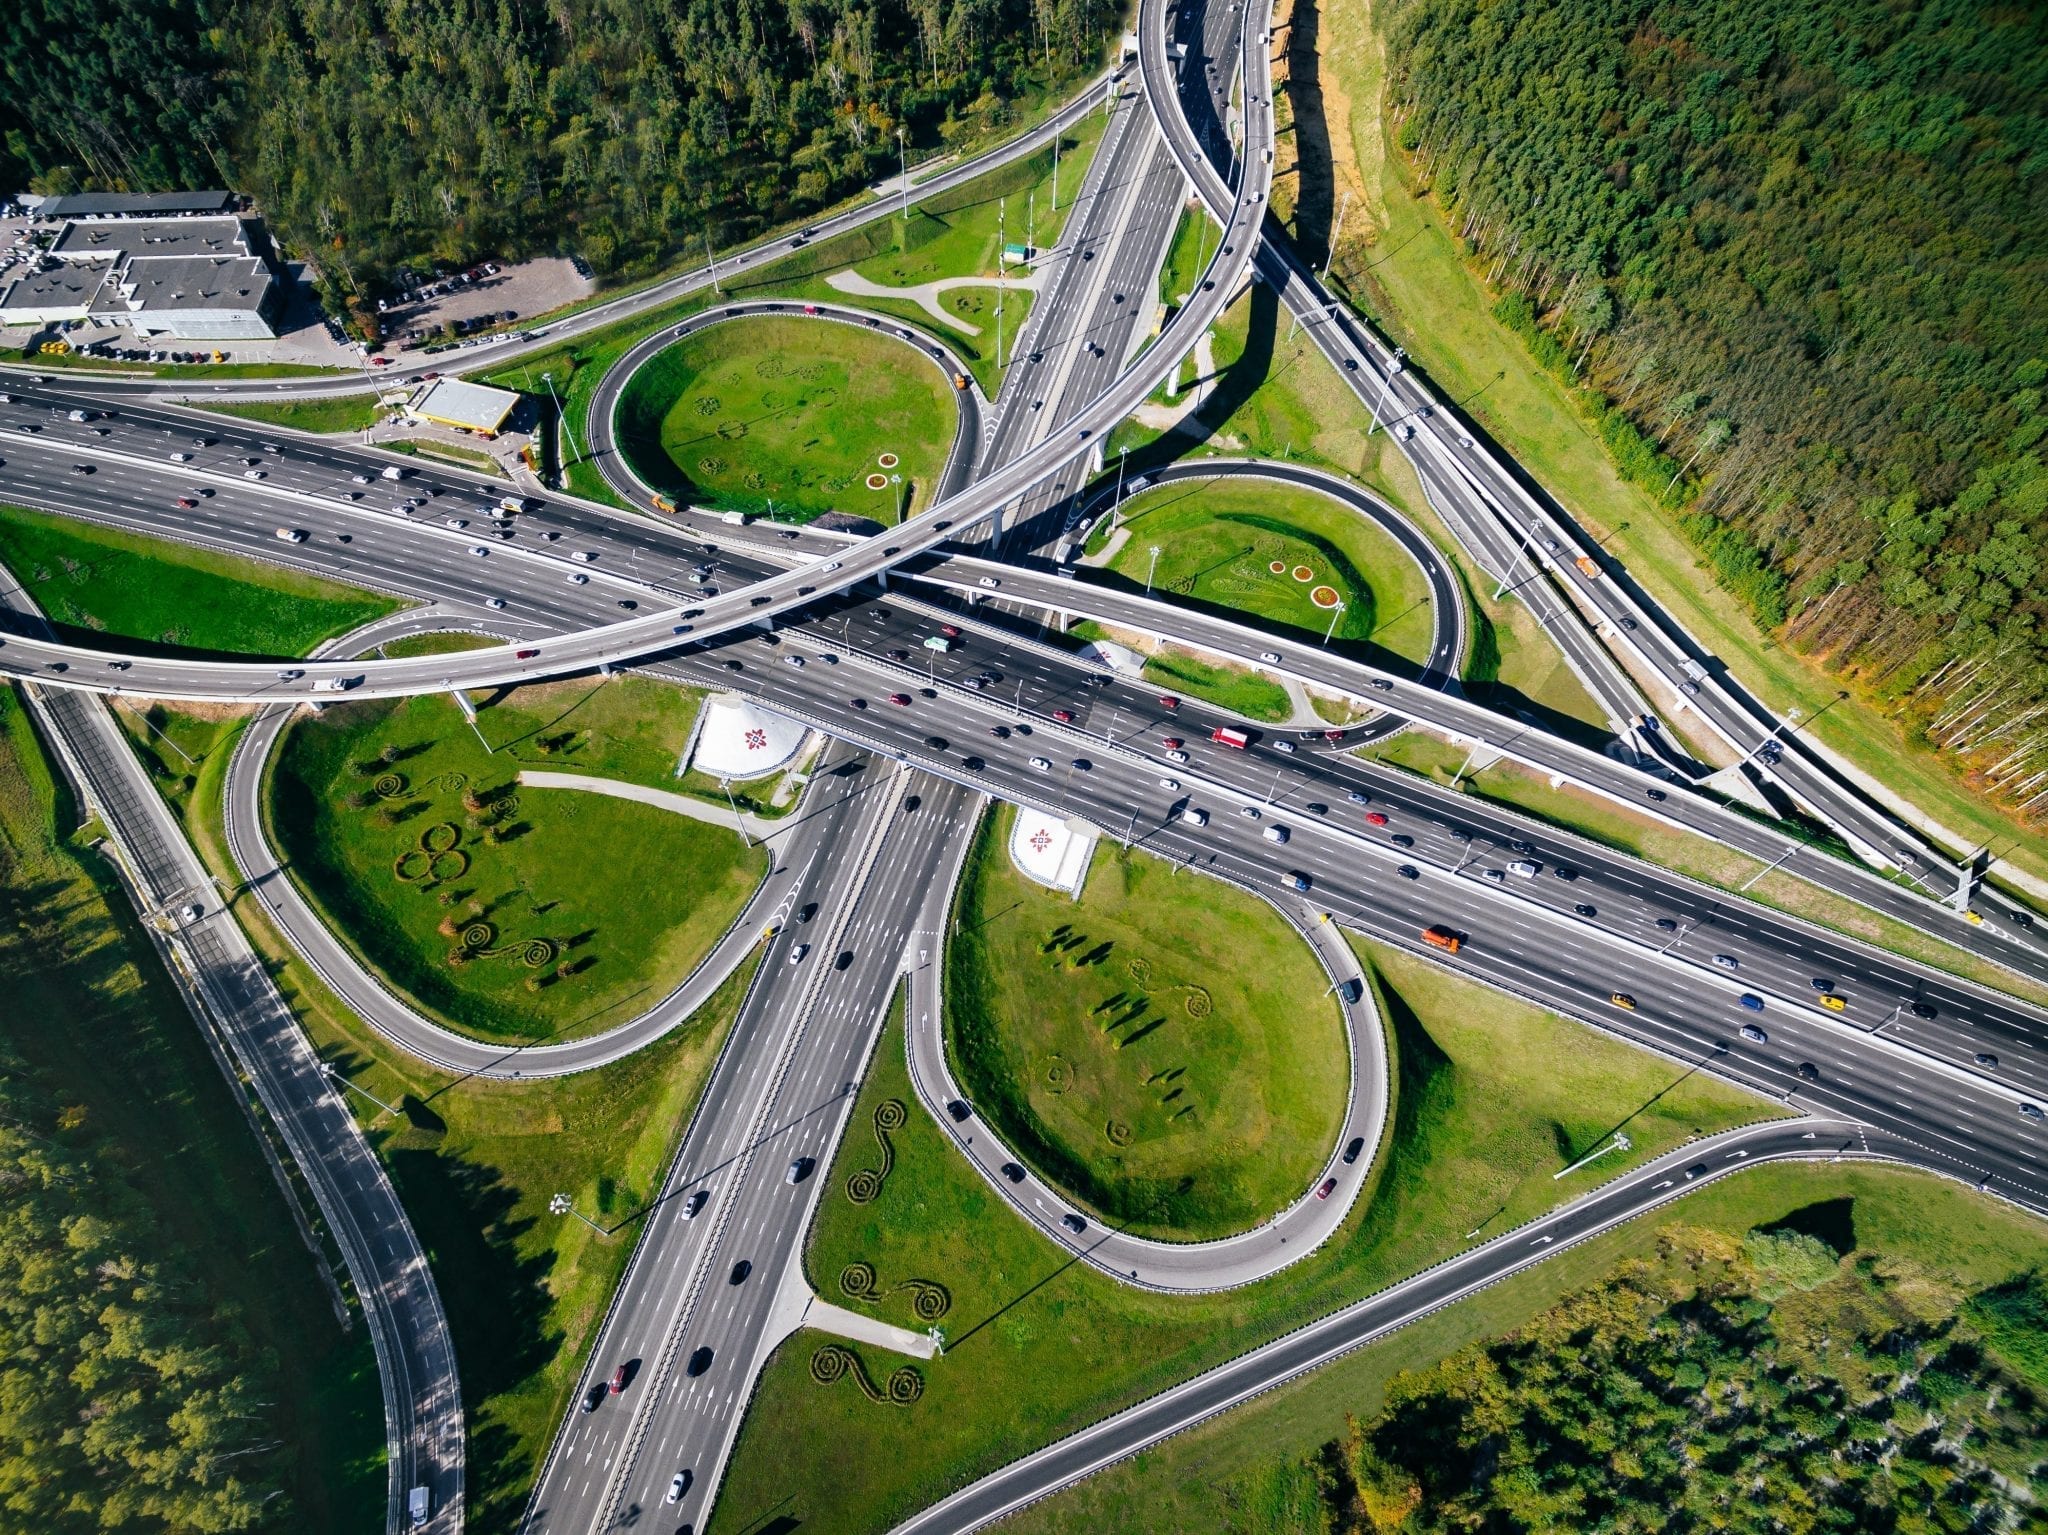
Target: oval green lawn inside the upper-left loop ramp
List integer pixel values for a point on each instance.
(792, 416)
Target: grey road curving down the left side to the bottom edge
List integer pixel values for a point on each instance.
(419, 1378)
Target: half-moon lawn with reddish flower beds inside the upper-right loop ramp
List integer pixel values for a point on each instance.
(1220, 543)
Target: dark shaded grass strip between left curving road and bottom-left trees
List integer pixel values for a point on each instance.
(93, 1012)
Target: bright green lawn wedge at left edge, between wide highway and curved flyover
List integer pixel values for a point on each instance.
(103, 584)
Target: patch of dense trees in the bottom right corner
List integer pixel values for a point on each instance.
(1764, 1387)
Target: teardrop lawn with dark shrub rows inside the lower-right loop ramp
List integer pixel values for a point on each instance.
(1162, 1049)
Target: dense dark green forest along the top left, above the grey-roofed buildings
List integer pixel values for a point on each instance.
(617, 130)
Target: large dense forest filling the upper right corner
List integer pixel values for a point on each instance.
(1797, 253)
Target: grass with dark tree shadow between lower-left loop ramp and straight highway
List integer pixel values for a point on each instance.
(476, 1164)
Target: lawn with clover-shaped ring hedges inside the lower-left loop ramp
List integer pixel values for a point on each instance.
(513, 914)
